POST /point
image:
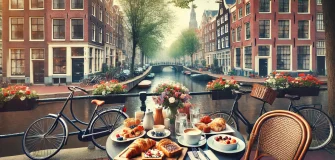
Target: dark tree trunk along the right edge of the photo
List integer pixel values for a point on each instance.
(329, 22)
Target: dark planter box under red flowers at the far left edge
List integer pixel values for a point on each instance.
(17, 105)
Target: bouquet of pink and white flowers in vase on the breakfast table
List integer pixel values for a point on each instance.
(172, 96)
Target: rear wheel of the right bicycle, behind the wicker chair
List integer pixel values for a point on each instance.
(321, 125)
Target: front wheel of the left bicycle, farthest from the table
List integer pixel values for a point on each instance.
(37, 145)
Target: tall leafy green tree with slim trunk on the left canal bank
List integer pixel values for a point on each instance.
(143, 18)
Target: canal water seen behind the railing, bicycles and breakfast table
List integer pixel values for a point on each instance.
(19, 121)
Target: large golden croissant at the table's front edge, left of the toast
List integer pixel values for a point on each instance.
(138, 146)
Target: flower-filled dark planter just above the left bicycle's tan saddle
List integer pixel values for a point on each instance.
(109, 91)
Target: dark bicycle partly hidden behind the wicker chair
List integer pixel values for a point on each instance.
(321, 124)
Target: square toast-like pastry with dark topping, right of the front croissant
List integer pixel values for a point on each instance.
(169, 148)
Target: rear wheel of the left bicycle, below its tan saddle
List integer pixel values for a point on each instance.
(103, 123)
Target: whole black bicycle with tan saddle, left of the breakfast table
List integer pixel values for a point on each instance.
(46, 136)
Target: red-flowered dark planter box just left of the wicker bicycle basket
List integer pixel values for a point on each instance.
(222, 88)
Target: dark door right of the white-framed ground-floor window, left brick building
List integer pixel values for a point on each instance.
(77, 69)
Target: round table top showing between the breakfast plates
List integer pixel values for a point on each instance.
(114, 148)
